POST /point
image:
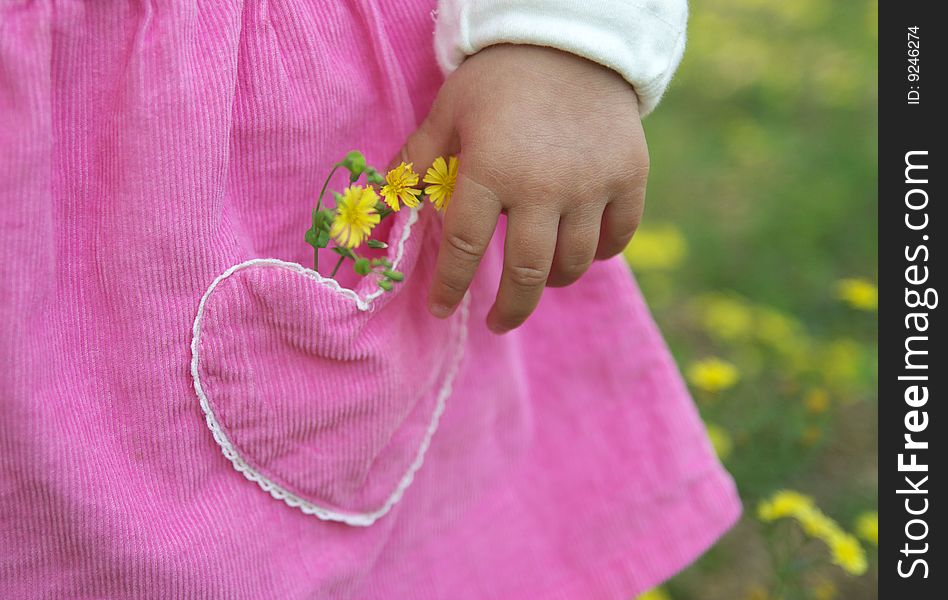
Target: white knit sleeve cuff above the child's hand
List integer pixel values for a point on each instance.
(643, 40)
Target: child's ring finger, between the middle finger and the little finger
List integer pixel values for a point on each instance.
(576, 244)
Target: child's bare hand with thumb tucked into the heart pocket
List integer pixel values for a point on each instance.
(550, 139)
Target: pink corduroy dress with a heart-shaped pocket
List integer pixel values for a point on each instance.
(189, 411)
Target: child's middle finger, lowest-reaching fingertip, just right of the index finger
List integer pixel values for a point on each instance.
(528, 256)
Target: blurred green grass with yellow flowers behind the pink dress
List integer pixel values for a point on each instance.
(762, 198)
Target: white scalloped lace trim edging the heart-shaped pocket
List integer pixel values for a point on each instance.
(274, 489)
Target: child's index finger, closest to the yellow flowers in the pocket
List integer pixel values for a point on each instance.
(469, 223)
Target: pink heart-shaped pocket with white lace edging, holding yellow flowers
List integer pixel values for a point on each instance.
(324, 396)
